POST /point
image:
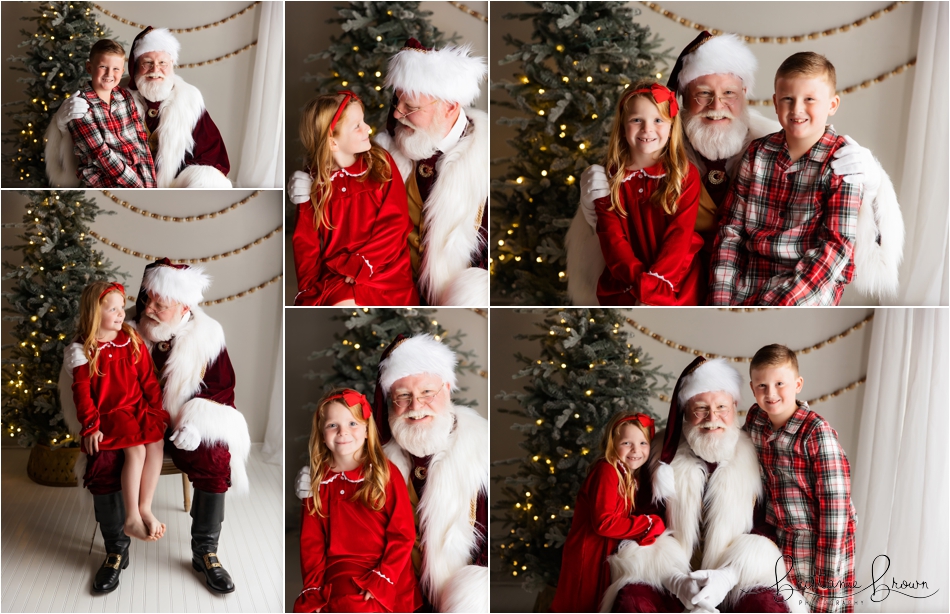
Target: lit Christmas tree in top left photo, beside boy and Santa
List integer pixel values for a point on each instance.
(56, 54)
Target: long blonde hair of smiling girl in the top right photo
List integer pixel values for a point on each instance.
(673, 155)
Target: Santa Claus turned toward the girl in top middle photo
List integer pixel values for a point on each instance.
(440, 145)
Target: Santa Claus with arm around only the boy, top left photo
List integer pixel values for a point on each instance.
(185, 143)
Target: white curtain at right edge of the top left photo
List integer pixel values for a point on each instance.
(262, 157)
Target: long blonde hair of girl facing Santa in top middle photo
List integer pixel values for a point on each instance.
(315, 135)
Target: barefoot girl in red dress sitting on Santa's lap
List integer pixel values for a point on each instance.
(119, 402)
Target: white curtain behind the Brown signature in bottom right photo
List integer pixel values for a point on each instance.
(899, 476)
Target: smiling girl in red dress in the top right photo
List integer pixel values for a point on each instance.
(646, 225)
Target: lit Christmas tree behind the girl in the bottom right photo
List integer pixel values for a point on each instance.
(587, 370)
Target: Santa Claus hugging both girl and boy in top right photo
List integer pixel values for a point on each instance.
(714, 75)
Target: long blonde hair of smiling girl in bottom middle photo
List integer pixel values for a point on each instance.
(375, 466)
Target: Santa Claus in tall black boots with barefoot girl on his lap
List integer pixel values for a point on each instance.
(208, 438)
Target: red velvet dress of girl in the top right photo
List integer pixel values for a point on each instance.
(650, 254)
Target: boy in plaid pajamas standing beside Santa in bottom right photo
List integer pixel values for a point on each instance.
(807, 480)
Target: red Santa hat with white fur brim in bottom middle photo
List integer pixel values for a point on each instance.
(407, 356)
